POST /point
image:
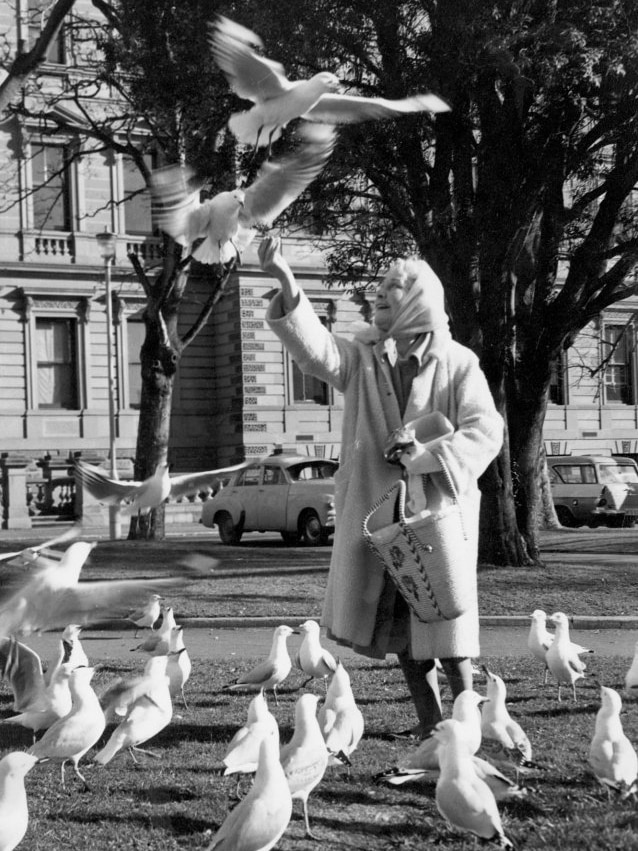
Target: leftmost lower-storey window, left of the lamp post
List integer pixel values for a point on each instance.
(56, 349)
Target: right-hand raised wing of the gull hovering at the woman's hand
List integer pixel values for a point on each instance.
(281, 182)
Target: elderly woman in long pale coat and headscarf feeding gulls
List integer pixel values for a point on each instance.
(402, 368)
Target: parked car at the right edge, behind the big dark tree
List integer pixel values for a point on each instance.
(594, 490)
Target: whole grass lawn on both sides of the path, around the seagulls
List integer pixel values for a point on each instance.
(177, 800)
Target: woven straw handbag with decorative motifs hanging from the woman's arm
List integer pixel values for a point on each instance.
(425, 556)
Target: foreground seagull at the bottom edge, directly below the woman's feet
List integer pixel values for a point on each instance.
(464, 800)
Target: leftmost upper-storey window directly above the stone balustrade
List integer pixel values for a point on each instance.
(51, 188)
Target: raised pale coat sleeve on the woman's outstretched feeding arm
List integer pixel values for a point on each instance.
(314, 349)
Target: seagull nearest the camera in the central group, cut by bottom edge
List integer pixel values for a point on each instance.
(261, 817)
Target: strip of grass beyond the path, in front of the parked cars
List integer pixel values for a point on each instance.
(284, 582)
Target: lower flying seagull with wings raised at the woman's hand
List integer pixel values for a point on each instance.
(227, 222)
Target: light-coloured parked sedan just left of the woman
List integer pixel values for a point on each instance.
(290, 494)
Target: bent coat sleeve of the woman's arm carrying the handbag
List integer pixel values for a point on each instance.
(478, 436)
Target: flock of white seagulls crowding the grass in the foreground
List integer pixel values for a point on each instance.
(477, 760)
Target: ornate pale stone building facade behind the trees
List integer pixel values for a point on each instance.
(237, 393)
